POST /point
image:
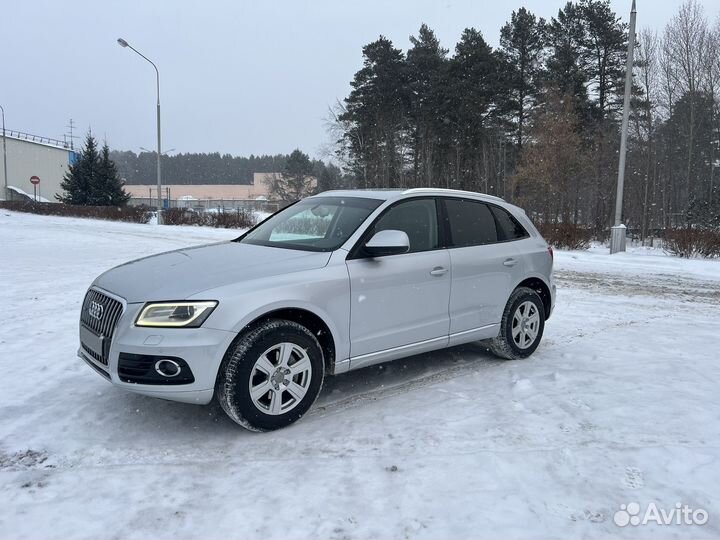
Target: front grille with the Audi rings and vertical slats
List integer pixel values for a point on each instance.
(100, 314)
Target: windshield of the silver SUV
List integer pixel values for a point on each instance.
(314, 224)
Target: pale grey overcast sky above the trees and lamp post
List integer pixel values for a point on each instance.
(236, 77)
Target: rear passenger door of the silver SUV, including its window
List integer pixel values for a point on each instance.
(485, 267)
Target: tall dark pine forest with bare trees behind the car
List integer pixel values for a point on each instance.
(537, 119)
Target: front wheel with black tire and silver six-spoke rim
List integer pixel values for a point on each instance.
(283, 362)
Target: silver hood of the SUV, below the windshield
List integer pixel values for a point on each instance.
(181, 274)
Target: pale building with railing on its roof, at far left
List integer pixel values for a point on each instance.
(31, 155)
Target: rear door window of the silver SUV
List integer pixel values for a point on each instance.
(470, 223)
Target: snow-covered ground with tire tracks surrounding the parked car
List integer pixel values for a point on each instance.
(618, 405)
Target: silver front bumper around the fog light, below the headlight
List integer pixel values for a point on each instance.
(202, 349)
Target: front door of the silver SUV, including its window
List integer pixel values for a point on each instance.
(399, 303)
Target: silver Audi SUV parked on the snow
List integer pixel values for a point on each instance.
(332, 283)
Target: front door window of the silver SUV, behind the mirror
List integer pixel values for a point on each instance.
(417, 218)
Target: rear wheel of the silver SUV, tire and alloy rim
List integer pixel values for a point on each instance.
(521, 327)
